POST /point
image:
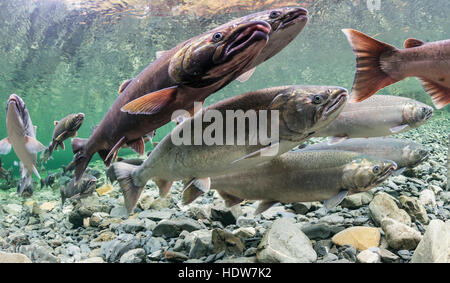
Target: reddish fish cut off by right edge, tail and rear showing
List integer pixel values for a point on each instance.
(380, 64)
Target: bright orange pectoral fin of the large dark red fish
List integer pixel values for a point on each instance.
(151, 103)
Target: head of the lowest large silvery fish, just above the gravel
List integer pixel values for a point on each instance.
(364, 173)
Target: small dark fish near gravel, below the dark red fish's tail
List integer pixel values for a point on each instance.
(83, 189)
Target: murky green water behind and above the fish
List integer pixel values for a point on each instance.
(66, 56)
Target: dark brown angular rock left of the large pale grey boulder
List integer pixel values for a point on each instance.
(225, 241)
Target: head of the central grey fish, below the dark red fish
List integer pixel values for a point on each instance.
(306, 109)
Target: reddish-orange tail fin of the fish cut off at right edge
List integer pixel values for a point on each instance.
(369, 77)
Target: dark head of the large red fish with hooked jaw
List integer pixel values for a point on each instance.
(226, 50)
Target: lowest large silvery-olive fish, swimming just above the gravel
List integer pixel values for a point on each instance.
(302, 177)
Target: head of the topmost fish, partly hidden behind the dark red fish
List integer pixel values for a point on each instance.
(286, 24)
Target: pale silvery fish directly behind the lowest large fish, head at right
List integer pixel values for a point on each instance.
(406, 154)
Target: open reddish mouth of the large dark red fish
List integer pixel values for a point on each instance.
(246, 36)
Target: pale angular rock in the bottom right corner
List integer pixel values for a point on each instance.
(435, 244)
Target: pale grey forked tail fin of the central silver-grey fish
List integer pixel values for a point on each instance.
(130, 191)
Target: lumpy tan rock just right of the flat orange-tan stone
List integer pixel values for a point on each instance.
(400, 236)
